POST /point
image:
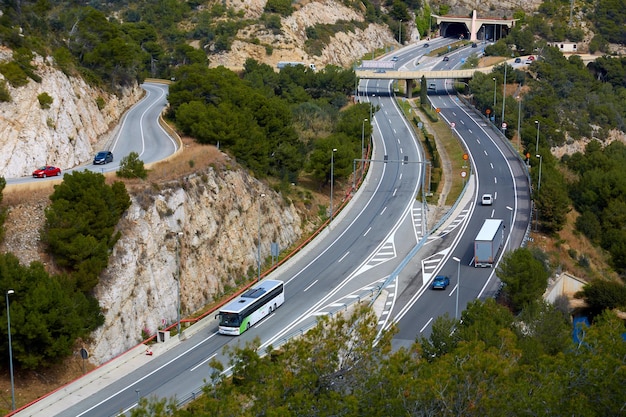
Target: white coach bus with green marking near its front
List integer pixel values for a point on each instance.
(250, 307)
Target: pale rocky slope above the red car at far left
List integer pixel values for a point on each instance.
(66, 134)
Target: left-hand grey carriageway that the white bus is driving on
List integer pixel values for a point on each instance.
(354, 255)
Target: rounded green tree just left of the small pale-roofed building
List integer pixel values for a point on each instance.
(524, 277)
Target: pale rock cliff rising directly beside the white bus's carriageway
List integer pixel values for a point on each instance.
(218, 216)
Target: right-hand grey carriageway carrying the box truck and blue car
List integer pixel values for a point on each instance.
(496, 170)
